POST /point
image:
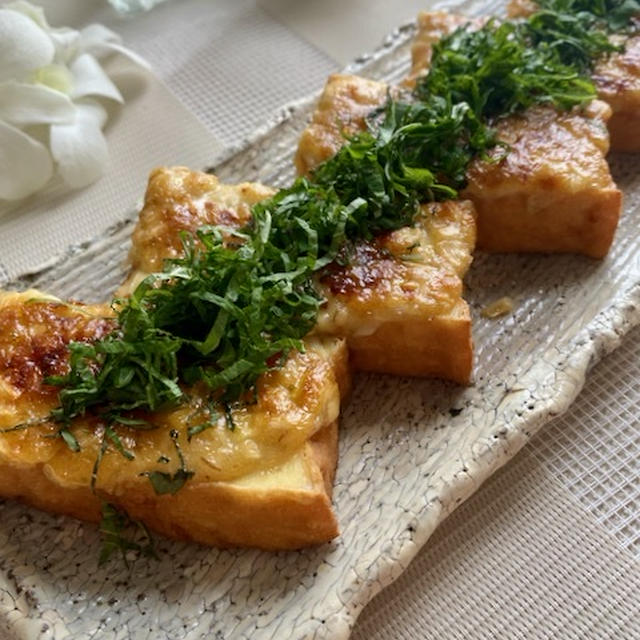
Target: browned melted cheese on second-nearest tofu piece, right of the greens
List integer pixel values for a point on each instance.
(412, 273)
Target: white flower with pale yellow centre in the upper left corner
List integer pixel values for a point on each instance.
(51, 88)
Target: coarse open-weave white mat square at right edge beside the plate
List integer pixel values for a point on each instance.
(594, 450)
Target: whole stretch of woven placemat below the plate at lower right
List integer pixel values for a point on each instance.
(549, 547)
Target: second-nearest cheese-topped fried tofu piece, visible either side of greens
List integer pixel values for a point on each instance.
(398, 303)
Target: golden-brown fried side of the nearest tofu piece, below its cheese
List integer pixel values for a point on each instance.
(290, 511)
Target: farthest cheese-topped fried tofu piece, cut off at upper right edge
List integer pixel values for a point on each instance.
(617, 80)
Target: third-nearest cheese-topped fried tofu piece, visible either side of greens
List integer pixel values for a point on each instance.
(553, 191)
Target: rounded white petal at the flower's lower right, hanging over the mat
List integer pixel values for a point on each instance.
(79, 148)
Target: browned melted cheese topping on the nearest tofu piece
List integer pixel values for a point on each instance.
(293, 404)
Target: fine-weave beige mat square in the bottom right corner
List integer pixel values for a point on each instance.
(519, 560)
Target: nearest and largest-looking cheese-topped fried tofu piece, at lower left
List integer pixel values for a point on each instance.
(266, 484)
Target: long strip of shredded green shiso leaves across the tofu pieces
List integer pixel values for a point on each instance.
(239, 301)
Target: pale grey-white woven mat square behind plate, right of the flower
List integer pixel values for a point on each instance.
(230, 62)
